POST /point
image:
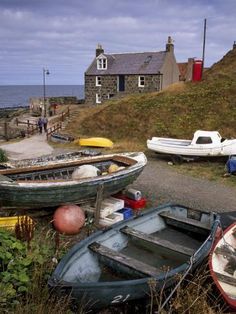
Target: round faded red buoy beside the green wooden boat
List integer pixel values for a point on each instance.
(68, 219)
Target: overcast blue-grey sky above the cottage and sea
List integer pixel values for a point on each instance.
(61, 35)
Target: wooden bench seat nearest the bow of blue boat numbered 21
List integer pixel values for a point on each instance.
(127, 261)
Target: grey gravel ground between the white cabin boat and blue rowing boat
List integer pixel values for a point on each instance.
(160, 183)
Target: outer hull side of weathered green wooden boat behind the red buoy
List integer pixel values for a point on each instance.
(40, 194)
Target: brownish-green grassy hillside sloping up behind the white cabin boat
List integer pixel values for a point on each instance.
(175, 112)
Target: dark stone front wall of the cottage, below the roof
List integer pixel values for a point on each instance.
(108, 88)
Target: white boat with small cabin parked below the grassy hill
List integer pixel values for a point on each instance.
(203, 144)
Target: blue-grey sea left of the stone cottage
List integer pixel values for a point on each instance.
(19, 95)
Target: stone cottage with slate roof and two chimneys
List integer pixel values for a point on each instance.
(120, 74)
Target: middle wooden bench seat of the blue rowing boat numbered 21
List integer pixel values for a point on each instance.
(158, 241)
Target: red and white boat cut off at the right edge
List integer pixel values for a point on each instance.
(222, 264)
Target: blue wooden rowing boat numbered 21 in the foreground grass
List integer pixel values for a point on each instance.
(121, 263)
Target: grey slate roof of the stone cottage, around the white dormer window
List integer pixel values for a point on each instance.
(130, 63)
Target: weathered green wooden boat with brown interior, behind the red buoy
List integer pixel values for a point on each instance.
(52, 185)
